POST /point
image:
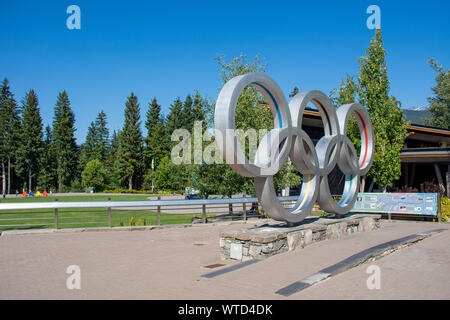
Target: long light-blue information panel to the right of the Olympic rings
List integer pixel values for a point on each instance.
(407, 203)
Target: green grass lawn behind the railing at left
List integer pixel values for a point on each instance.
(82, 217)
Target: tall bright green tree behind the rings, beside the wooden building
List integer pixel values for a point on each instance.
(385, 113)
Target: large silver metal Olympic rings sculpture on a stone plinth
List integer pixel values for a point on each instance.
(288, 139)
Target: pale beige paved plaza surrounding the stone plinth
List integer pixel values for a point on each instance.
(168, 264)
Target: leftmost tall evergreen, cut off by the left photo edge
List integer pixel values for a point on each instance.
(9, 132)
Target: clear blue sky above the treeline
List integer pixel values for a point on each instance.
(166, 48)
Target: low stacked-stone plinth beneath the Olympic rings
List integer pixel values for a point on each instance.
(268, 240)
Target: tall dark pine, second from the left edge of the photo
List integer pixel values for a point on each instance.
(30, 149)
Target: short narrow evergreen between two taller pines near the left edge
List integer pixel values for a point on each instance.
(48, 177)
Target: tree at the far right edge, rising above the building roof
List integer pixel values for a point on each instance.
(440, 103)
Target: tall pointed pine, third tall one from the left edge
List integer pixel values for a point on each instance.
(64, 140)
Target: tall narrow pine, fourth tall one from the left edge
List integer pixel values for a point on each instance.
(131, 144)
